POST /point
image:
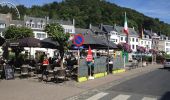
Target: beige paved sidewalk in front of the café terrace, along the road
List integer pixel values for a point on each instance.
(31, 89)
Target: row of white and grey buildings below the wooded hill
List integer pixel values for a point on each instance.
(149, 39)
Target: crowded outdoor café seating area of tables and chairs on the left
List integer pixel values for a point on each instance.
(51, 73)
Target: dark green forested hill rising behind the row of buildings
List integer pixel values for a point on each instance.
(92, 11)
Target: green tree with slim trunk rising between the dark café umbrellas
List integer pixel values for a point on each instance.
(56, 32)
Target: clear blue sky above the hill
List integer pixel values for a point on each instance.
(153, 8)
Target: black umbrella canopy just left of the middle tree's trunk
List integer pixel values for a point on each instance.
(49, 43)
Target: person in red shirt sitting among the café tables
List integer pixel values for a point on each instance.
(45, 63)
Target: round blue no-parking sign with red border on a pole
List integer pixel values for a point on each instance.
(78, 40)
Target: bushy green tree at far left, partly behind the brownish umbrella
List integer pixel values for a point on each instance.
(14, 33)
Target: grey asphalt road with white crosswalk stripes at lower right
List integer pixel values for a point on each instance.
(154, 85)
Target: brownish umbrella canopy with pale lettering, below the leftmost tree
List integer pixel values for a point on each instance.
(26, 42)
